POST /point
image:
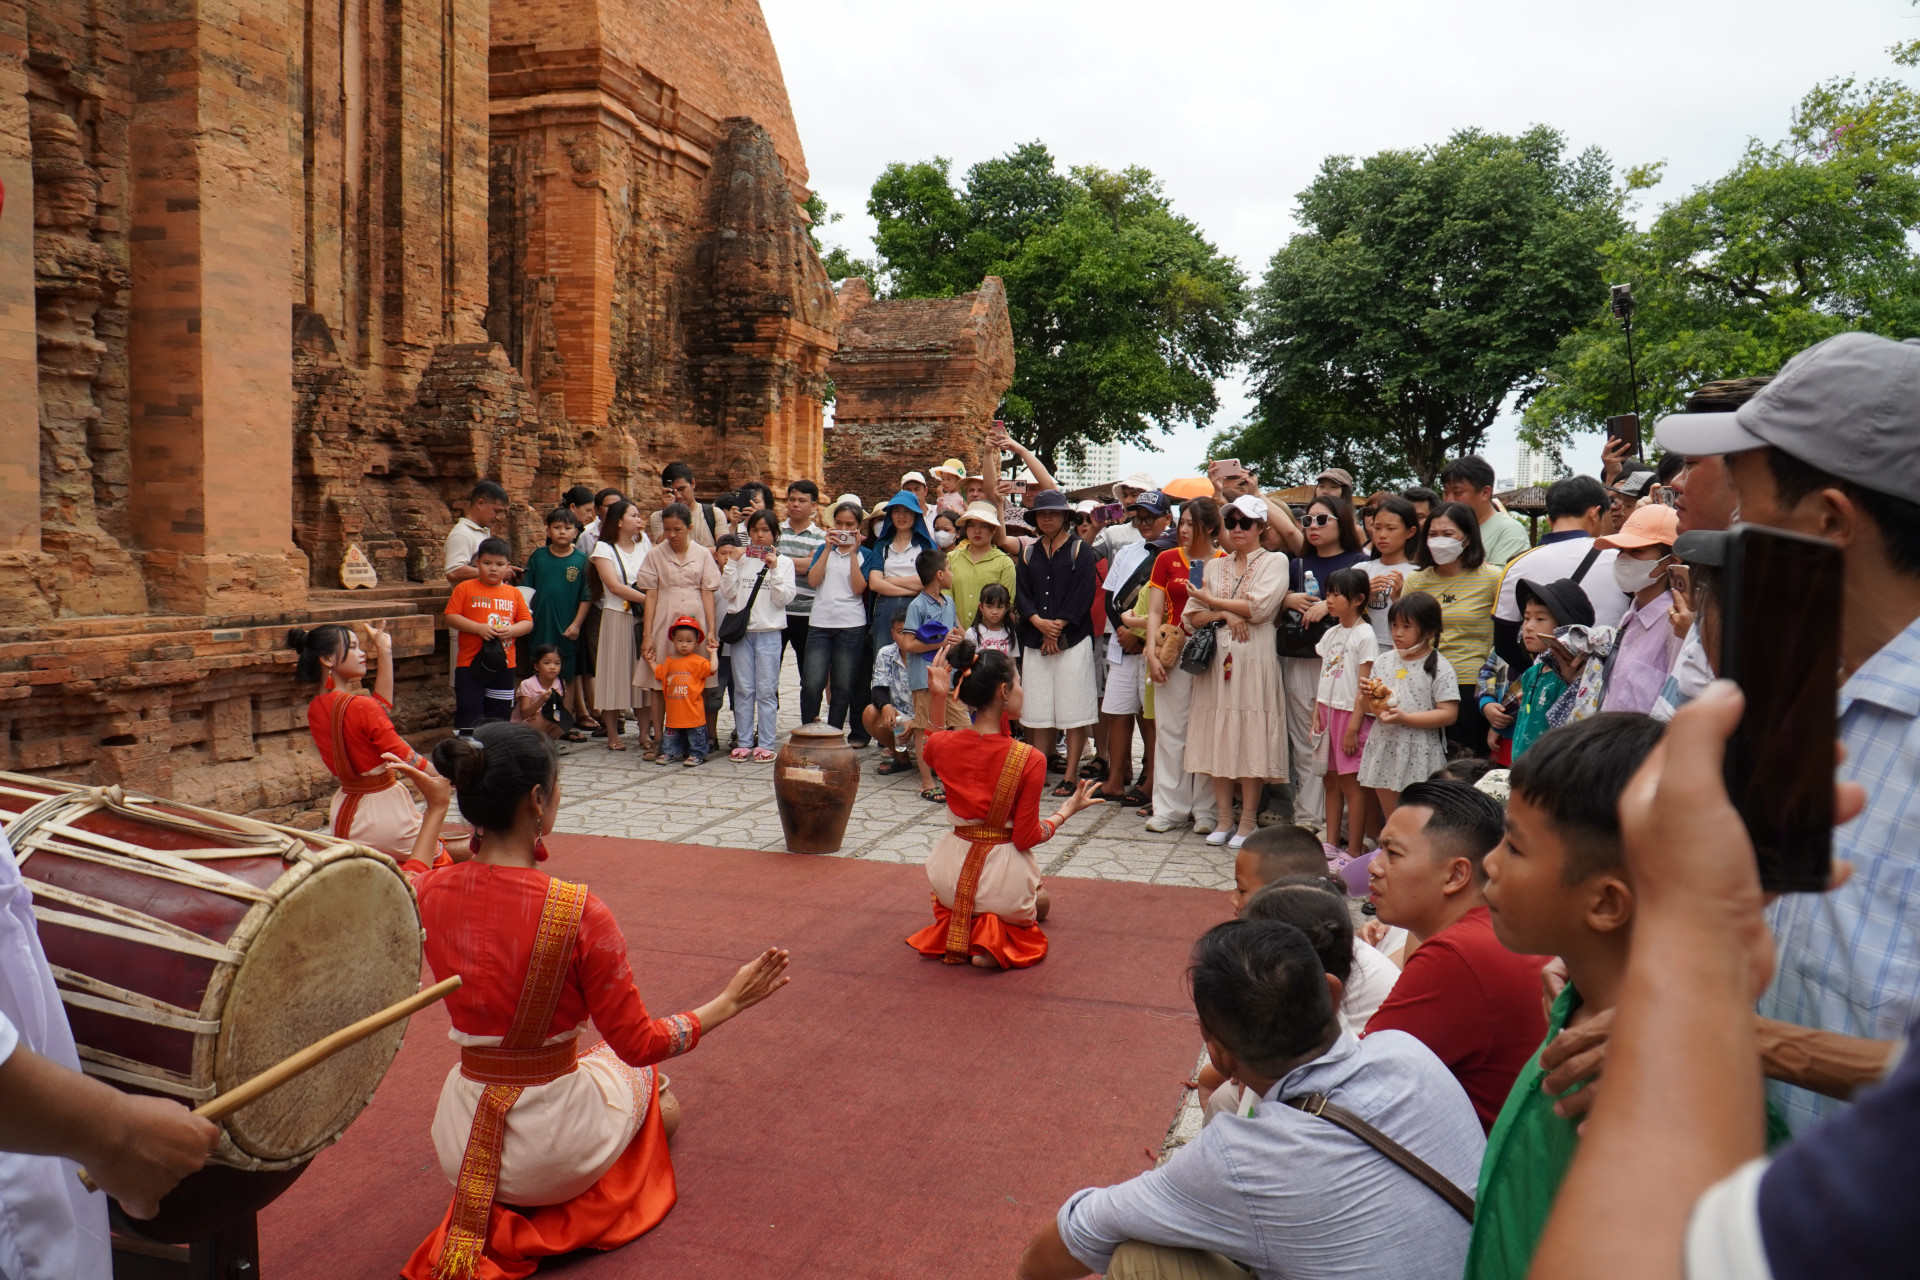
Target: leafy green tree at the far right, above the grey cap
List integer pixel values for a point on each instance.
(1802, 241)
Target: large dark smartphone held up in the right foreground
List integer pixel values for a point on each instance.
(1781, 644)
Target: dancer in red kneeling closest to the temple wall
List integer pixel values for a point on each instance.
(354, 732)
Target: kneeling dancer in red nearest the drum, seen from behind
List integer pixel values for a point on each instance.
(548, 1149)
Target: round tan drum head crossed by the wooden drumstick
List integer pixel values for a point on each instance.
(343, 945)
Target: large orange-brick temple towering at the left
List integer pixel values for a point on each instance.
(281, 279)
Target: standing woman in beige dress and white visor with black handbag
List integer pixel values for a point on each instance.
(1237, 726)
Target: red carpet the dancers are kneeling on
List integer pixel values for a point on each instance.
(882, 1118)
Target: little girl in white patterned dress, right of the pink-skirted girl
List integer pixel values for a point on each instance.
(1414, 698)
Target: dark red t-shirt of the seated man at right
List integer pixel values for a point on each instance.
(1476, 1005)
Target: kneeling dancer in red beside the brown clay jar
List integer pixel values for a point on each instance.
(988, 897)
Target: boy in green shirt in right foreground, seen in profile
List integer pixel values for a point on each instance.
(1558, 886)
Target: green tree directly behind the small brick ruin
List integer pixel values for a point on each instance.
(1124, 314)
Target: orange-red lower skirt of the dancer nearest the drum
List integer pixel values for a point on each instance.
(621, 1208)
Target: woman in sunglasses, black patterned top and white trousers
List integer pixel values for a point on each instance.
(1333, 544)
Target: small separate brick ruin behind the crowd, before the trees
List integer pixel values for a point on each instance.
(915, 381)
